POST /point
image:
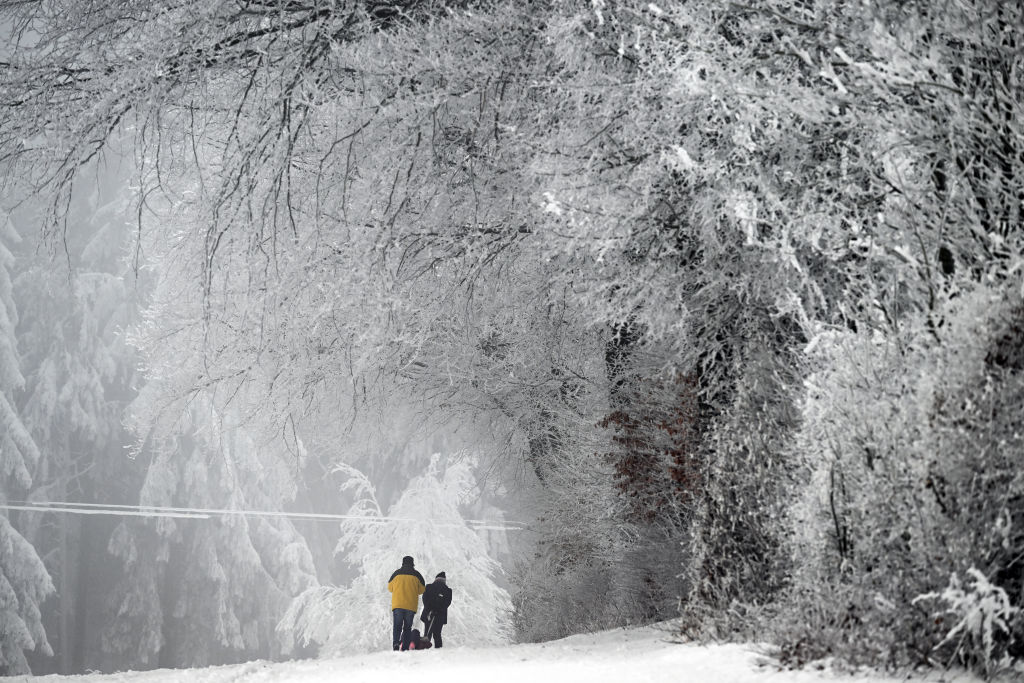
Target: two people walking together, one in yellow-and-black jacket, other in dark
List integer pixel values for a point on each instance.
(407, 586)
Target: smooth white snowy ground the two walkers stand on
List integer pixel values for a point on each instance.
(621, 656)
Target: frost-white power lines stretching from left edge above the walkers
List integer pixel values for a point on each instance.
(207, 514)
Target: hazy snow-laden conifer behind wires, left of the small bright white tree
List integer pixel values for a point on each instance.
(190, 597)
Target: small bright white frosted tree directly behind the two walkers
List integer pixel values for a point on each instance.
(428, 523)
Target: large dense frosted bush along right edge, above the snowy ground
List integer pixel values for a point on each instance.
(914, 452)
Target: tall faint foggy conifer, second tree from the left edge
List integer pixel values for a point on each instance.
(79, 372)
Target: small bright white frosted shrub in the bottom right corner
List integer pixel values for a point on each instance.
(984, 615)
